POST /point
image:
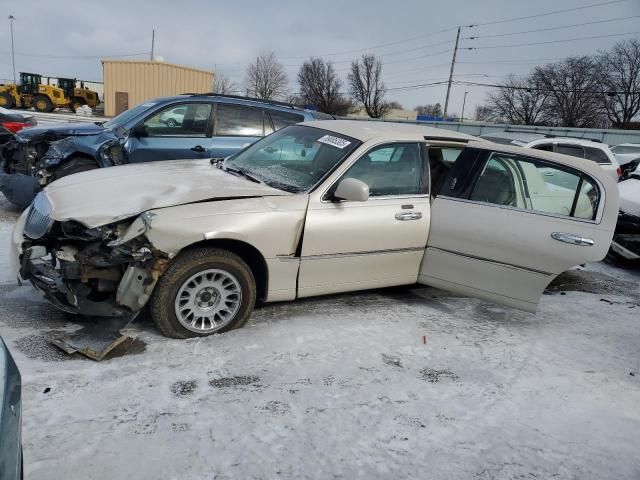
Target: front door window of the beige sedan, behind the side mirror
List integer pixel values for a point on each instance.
(394, 169)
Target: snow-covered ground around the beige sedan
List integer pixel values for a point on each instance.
(345, 387)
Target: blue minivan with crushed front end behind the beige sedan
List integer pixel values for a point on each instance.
(186, 126)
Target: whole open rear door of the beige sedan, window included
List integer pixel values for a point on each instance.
(502, 226)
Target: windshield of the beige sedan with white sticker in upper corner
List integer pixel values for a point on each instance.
(295, 158)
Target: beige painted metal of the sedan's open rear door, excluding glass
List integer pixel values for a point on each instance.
(465, 234)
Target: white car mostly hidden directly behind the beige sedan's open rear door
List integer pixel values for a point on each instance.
(581, 148)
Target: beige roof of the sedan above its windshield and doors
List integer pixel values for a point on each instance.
(364, 130)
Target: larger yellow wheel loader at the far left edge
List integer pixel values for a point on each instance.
(31, 92)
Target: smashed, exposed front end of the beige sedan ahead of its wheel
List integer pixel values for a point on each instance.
(104, 271)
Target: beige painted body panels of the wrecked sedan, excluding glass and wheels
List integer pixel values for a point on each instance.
(346, 245)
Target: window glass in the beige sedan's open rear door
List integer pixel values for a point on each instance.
(538, 186)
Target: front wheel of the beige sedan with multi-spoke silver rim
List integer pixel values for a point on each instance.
(204, 291)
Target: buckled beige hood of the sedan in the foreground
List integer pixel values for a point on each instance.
(106, 195)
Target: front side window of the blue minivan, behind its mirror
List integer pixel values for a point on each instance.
(191, 120)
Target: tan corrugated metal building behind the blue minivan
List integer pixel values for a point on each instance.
(128, 83)
